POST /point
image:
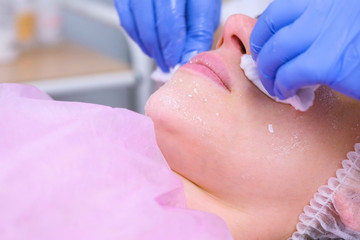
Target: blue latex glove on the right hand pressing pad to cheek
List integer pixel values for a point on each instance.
(299, 43)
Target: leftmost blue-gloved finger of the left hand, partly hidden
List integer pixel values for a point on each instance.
(127, 21)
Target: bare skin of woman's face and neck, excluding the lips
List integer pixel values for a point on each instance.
(252, 161)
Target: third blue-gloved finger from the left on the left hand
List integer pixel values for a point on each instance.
(171, 26)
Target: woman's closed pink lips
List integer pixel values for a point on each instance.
(212, 67)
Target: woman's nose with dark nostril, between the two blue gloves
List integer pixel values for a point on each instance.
(236, 33)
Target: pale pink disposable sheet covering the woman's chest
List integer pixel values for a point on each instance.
(81, 171)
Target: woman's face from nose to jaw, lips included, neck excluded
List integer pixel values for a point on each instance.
(217, 130)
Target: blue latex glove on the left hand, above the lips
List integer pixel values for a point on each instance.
(170, 31)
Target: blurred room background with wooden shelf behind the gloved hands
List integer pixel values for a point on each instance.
(75, 50)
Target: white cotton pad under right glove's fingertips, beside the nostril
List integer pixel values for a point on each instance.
(303, 99)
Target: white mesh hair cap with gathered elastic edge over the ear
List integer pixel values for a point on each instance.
(334, 212)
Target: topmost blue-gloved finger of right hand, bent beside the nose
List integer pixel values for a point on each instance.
(278, 15)
